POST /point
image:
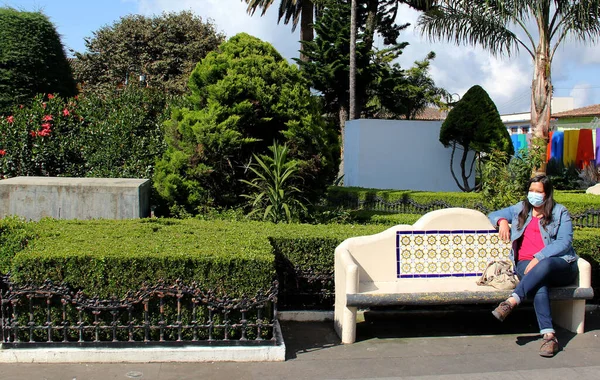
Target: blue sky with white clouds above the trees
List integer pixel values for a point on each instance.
(575, 69)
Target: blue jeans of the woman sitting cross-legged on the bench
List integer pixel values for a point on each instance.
(552, 271)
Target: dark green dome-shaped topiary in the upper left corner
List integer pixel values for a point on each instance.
(32, 59)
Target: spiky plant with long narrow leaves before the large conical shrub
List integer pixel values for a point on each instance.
(274, 195)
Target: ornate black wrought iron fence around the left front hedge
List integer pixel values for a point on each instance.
(50, 315)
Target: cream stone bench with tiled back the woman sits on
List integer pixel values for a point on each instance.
(435, 261)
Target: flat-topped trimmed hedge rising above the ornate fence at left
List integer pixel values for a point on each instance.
(109, 258)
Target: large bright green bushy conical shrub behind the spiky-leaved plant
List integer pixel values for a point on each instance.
(244, 97)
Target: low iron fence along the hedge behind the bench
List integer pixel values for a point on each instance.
(588, 218)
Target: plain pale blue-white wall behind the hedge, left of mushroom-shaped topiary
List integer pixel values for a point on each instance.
(398, 154)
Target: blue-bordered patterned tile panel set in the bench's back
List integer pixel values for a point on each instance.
(459, 253)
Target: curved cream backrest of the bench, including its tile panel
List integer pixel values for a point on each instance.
(379, 257)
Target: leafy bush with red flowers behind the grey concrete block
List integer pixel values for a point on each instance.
(115, 134)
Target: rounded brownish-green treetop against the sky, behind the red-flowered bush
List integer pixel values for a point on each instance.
(164, 49)
